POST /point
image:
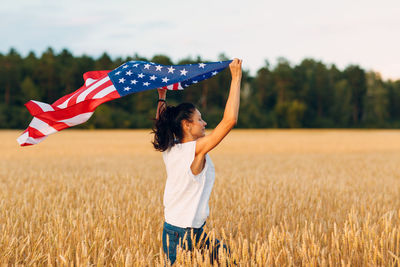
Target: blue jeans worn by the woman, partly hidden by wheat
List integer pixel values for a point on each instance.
(182, 236)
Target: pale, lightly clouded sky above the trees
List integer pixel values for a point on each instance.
(339, 32)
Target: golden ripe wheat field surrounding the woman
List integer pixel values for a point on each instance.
(280, 198)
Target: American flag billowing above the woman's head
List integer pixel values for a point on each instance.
(103, 86)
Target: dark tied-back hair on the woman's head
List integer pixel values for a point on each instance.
(168, 128)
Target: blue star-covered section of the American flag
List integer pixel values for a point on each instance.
(137, 76)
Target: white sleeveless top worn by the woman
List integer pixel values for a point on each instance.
(186, 195)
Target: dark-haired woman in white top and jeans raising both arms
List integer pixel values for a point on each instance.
(180, 135)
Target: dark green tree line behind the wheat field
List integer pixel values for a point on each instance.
(310, 94)
